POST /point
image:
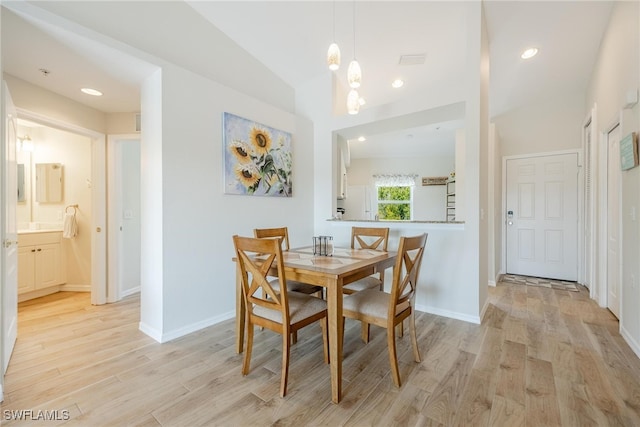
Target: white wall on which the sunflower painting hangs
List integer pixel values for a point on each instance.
(197, 218)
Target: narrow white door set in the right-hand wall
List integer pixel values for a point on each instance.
(614, 265)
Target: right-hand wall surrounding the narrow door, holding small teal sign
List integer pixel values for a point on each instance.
(616, 72)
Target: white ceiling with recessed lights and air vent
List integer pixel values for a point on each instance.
(291, 38)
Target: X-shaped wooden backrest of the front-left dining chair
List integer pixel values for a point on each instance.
(256, 256)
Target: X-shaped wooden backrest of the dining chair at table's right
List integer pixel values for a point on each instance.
(405, 272)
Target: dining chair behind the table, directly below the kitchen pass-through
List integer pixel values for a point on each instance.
(375, 238)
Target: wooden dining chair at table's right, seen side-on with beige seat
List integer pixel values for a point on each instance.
(373, 306)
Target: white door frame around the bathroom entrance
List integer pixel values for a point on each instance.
(98, 200)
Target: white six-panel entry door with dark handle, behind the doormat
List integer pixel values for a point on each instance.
(542, 216)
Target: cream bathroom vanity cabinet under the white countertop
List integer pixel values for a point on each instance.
(40, 261)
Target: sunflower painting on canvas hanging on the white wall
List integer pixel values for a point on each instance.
(257, 158)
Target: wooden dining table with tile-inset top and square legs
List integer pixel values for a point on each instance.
(332, 272)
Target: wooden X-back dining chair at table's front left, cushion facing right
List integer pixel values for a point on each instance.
(280, 311)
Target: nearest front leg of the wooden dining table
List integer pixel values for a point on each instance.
(334, 307)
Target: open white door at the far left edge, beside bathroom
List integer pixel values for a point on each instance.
(9, 196)
